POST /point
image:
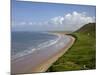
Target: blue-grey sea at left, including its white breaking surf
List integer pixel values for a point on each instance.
(24, 43)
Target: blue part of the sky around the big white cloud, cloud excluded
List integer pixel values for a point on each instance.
(33, 13)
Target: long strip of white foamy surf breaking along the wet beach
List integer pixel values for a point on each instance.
(39, 47)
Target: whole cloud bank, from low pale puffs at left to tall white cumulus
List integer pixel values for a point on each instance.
(69, 22)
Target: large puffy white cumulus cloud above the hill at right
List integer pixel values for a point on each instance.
(72, 21)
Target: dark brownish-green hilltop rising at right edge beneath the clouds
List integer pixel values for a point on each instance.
(89, 28)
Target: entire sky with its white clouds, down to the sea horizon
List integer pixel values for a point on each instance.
(39, 16)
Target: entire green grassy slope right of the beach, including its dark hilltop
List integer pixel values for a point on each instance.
(81, 55)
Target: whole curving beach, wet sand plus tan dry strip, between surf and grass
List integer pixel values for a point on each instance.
(41, 60)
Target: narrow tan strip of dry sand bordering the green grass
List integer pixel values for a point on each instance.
(44, 66)
